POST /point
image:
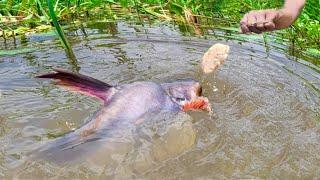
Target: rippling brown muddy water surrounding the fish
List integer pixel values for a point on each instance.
(265, 102)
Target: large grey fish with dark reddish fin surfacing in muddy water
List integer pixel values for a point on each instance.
(123, 105)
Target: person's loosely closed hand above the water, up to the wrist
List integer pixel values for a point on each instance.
(266, 20)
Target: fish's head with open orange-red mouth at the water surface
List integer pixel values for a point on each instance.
(187, 94)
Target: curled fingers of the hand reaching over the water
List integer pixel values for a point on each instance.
(258, 21)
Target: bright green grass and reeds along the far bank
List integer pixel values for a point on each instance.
(28, 15)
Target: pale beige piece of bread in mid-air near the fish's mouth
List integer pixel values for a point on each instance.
(214, 57)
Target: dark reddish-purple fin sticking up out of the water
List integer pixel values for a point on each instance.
(80, 83)
